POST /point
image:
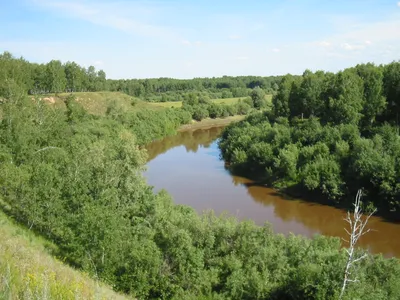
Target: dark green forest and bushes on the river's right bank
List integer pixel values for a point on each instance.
(327, 135)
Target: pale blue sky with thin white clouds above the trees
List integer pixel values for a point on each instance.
(203, 38)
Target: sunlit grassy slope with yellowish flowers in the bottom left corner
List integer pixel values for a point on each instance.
(28, 271)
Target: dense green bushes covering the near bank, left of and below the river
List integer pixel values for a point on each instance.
(76, 179)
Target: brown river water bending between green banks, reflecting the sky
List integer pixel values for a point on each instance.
(187, 165)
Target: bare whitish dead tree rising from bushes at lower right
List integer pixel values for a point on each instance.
(357, 225)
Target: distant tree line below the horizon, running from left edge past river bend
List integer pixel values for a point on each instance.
(57, 77)
